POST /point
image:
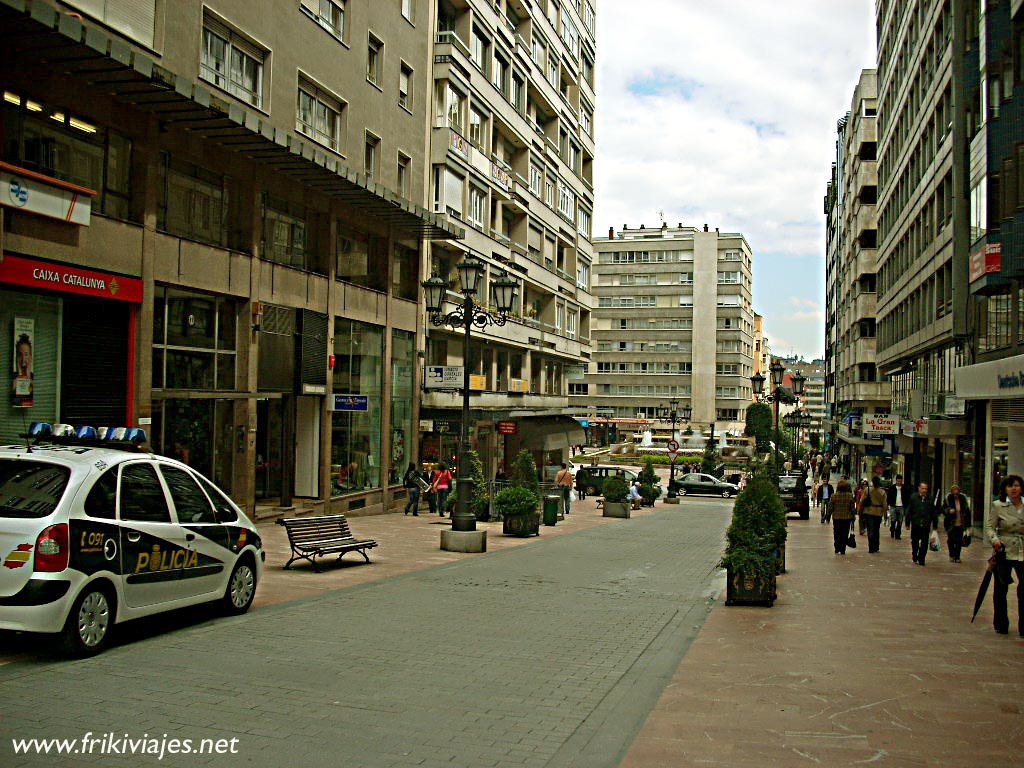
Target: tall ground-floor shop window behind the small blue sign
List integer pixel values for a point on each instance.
(356, 429)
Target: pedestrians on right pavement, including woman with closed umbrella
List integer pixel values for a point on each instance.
(922, 513)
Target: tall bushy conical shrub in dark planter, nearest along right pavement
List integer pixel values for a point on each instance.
(755, 543)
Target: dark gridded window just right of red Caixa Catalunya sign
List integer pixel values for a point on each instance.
(194, 340)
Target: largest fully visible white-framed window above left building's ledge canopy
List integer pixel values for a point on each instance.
(232, 63)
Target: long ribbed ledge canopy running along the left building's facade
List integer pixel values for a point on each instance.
(45, 39)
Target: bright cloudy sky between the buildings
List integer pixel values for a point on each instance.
(724, 113)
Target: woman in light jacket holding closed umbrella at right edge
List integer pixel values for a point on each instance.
(1006, 530)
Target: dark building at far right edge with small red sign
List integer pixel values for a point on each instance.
(992, 389)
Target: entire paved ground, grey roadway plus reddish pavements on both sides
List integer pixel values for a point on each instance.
(604, 643)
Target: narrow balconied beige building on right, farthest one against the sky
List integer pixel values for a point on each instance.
(856, 386)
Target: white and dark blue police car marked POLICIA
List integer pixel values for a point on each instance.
(96, 531)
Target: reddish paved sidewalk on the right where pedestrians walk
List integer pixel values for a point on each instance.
(864, 659)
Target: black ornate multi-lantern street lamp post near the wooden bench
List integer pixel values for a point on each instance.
(464, 317)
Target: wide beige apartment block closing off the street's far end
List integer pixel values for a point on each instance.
(672, 320)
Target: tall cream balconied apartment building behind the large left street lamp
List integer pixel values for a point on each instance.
(511, 162)
